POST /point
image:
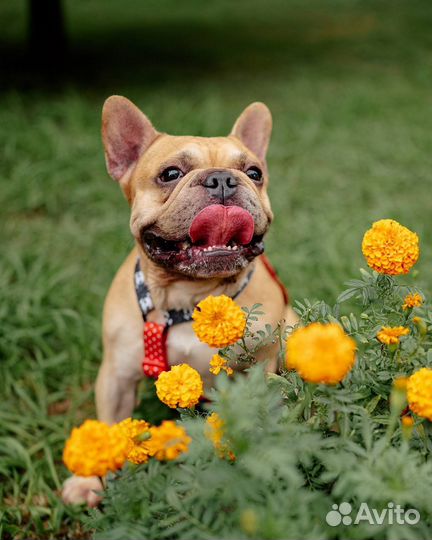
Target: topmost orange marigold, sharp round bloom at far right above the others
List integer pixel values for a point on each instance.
(390, 248)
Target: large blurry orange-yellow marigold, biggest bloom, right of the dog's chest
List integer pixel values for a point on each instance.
(320, 353)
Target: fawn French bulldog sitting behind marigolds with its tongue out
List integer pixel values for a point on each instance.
(199, 213)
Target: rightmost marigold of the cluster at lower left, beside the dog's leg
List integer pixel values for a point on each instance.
(167, 441)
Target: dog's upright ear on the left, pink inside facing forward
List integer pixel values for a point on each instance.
(126, 134)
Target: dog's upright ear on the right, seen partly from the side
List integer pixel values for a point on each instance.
(253, 127)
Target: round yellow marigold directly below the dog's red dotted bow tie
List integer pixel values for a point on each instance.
(181, 386)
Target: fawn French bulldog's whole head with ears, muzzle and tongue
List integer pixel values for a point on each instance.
(199, 206)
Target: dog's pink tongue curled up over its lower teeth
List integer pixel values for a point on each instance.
(217, 225)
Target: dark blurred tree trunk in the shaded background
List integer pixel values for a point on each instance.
(46, 31)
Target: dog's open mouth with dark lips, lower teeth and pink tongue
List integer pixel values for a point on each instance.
(221, 241)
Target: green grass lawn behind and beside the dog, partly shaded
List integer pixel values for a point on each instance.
(349, 85)
